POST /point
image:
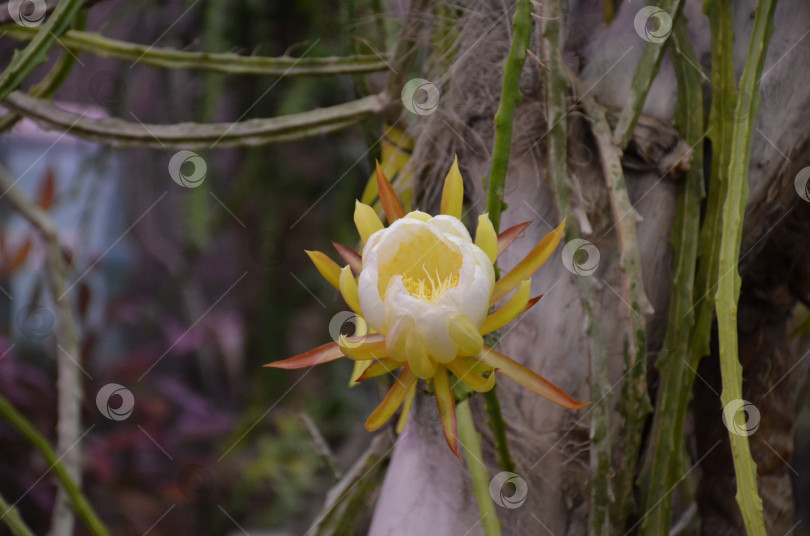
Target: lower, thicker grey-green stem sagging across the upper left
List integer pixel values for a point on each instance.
(120, 133)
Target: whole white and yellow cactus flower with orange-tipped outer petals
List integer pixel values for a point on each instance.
(425, 288)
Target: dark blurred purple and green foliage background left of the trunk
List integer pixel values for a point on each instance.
(205, 286)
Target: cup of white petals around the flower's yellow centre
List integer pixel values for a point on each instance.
(402, 257)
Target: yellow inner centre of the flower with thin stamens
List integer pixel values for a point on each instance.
(429, 267)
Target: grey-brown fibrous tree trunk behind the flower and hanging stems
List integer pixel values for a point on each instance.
(427, 489)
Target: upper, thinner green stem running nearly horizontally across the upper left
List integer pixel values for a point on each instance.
(284, 66)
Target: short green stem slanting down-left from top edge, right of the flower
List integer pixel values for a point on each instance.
(643, 77)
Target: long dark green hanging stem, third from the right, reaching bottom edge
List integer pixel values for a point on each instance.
(675, 362)
